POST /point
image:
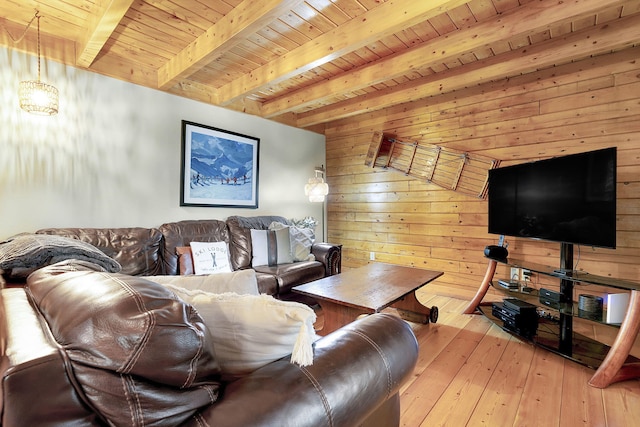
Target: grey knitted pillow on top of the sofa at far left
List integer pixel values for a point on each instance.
(25, 253)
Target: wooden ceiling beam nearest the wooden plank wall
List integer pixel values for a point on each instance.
(579, 45)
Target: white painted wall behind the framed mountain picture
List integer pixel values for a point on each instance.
(111, 157)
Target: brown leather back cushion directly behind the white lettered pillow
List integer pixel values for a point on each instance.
(181, 233)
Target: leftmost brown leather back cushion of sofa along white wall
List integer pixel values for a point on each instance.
(136, 249)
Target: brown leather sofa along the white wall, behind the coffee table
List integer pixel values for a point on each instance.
(153, 251)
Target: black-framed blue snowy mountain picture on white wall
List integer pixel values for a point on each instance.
(218, 168)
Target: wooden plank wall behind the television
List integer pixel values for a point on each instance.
(572, 108)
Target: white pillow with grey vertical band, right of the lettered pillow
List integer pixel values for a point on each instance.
(270, 247)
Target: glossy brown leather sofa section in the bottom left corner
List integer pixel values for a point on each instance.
(35, 386)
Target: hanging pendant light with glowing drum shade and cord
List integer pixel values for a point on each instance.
(35, 96)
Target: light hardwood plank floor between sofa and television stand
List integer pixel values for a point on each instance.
(472, 373)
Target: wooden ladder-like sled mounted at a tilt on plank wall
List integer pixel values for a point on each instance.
(447, 168)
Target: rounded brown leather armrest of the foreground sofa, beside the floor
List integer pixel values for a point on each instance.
(355, 377)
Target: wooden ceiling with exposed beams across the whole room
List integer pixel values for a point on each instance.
(309, 62)
